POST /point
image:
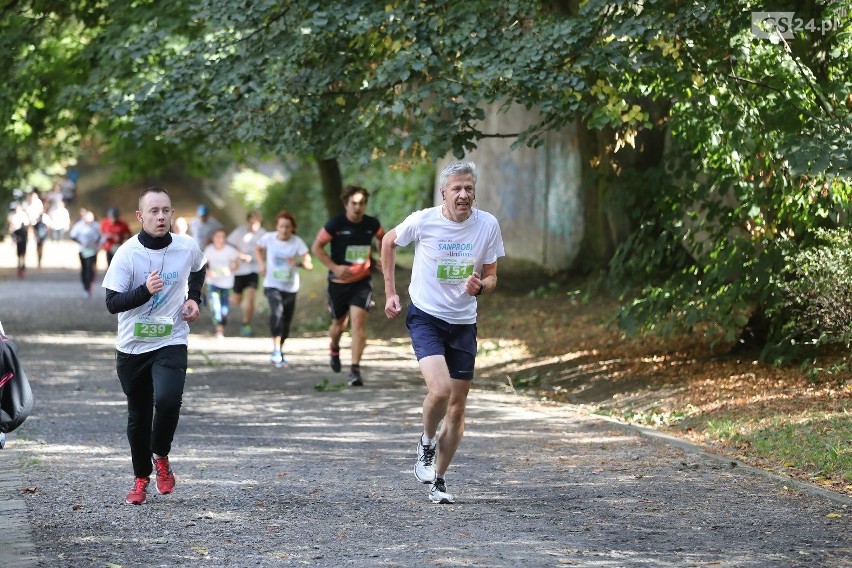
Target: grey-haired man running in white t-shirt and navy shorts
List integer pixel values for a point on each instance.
(456, 248)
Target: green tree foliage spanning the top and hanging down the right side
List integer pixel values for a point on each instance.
(723, 142)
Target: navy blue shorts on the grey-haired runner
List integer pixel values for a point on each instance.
(433, 336)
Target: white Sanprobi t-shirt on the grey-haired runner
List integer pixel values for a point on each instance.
(446, 253)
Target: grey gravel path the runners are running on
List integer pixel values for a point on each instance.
(273, 472)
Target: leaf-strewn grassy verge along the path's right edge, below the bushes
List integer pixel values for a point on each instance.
(790, 420)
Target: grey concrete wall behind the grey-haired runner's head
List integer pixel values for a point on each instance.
(534, 193)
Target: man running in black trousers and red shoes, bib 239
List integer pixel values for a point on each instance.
(154, 285)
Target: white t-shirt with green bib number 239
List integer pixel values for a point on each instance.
(159, 321)
